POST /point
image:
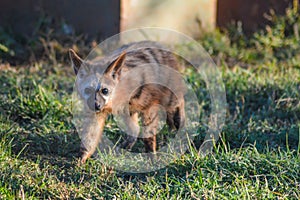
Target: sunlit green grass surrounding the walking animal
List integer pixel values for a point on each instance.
(257, 156)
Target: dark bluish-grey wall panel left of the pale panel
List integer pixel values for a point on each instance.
(97, 18)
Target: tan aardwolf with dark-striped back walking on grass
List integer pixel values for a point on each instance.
(141, 79)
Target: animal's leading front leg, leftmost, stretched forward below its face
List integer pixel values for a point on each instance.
(91, 134)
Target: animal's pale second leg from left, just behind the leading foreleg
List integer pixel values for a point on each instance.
(132, 131)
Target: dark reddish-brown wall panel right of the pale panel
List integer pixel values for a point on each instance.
(249, 12)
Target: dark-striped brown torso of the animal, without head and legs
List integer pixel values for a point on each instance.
(150, 77)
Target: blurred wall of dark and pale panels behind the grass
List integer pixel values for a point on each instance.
(101, 19)
